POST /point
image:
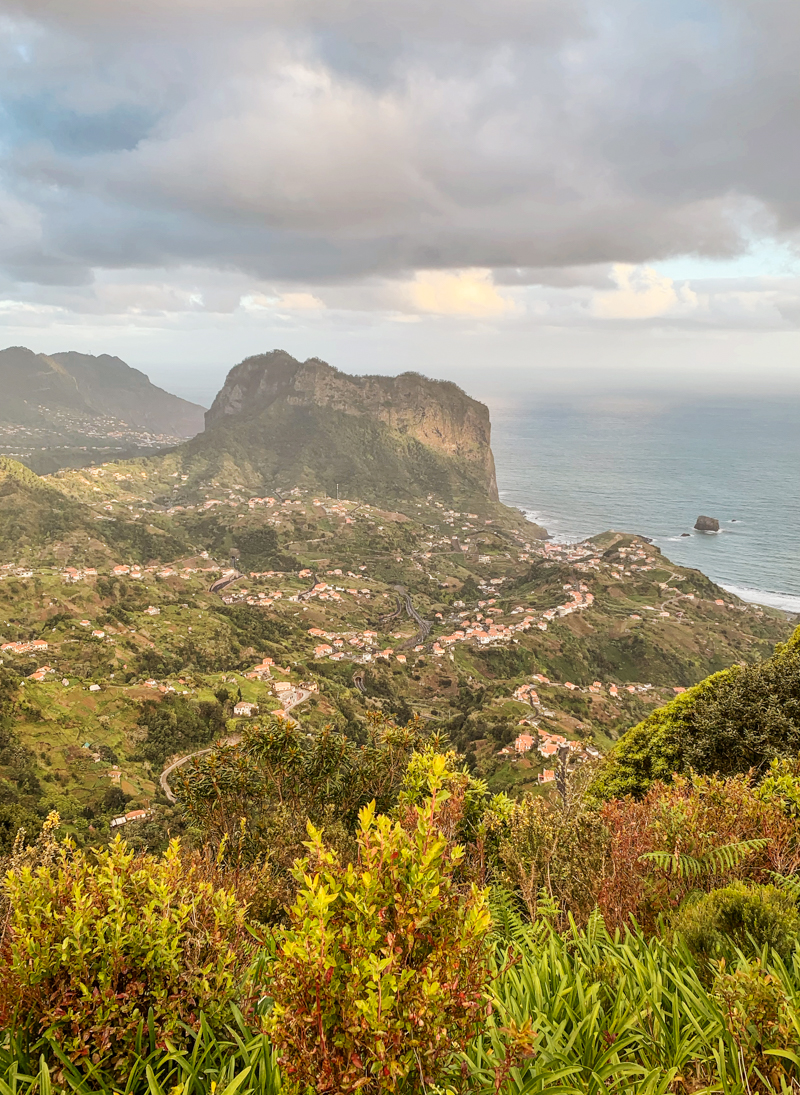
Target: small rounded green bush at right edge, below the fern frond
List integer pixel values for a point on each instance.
(744, 916)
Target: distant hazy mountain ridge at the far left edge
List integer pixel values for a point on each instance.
(67, 395)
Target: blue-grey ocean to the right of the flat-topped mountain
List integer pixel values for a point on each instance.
(583, 464)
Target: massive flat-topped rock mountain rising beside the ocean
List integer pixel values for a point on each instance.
(279, 423)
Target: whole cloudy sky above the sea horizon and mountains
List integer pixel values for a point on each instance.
(515, 194)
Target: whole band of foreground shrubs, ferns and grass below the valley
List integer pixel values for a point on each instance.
(453, 941)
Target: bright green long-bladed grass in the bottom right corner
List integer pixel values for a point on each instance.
(632, 1015)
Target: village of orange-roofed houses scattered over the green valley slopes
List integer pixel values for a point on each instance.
(366, 609)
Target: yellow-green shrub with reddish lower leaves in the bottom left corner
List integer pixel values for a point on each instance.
(99, 943)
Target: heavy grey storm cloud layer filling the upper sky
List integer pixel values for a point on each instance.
(337, 140)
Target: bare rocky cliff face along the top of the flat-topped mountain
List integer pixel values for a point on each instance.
(436, 413)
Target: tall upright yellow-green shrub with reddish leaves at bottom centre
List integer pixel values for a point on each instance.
(382, 975)
